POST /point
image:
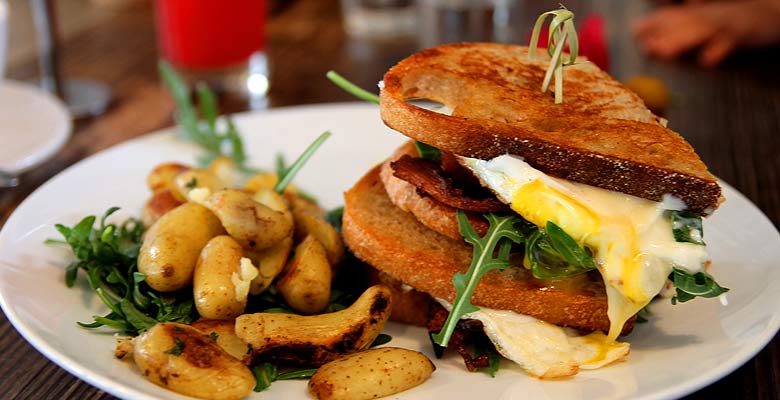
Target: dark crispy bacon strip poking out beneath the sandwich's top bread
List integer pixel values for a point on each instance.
(429, 179)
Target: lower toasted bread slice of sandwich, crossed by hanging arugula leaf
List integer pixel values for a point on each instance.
(394, 242)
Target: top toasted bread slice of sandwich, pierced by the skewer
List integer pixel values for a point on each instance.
(601, 135)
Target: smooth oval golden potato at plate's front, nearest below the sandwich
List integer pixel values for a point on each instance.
(370, 374)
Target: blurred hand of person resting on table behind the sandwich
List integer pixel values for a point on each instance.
(713, 29)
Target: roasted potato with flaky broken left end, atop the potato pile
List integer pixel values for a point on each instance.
(255, 226)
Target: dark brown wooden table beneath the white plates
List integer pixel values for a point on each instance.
(731, 115)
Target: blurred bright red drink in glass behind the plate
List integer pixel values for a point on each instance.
(210, 34)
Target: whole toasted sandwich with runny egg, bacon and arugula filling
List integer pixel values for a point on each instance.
(546, 225)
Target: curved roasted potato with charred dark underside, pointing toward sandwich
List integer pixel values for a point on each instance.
(317, 339)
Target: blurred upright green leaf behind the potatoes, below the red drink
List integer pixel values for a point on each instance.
(204, 133)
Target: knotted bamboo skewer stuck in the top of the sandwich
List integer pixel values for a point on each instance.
(561, 30)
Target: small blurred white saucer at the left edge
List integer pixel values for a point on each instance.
(35, 126)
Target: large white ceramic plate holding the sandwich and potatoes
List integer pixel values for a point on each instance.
(683, 348)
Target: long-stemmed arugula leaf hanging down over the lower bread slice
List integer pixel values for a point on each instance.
(501, 234)
